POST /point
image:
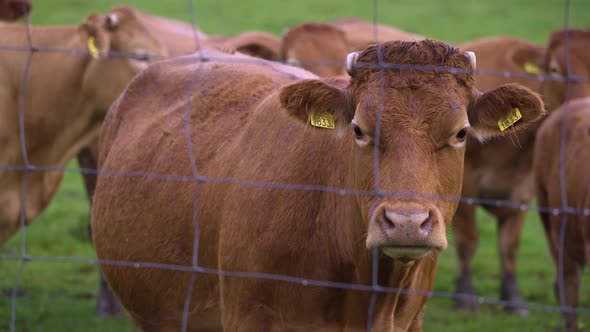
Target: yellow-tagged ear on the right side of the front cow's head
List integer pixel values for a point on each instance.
(507, 108)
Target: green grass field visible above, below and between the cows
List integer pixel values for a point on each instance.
(61, 296)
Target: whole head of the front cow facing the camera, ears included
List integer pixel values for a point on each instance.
(407, 128)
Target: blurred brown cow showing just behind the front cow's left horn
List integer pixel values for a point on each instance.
(322, 47)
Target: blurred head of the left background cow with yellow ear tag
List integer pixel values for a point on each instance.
(120, 46)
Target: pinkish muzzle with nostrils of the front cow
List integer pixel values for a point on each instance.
(406, 231)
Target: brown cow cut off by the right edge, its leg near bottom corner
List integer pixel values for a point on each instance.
(547, 169)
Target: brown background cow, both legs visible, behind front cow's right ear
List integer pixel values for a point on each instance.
(499, 169)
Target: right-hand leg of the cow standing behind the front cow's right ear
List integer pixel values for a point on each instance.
(510, 227)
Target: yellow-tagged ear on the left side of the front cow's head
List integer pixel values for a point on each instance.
(320, 103)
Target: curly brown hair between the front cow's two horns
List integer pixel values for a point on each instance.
(424, 52)
